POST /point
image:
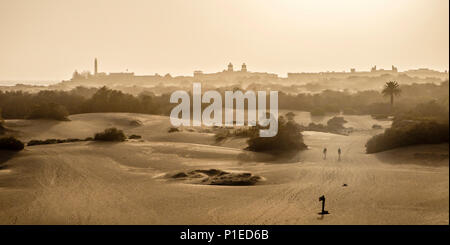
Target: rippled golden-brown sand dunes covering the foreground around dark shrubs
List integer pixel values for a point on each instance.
(117, 183)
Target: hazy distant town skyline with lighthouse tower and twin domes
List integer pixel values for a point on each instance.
(242, 76)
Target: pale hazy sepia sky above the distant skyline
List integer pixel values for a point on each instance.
(49, 39)
